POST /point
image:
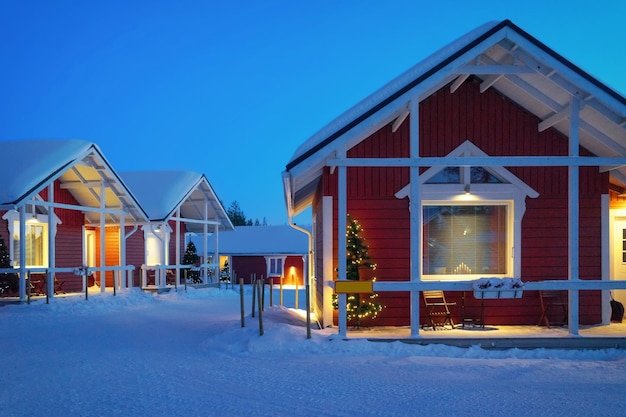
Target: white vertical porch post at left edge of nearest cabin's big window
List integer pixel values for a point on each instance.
(415, 218)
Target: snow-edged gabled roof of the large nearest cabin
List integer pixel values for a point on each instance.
(503, 57)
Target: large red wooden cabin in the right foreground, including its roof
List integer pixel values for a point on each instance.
(494, 157)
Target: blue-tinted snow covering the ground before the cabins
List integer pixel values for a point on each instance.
(185, 354)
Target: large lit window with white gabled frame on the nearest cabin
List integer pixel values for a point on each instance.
(472, 219)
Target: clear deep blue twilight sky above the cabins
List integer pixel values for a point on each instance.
(232, 88)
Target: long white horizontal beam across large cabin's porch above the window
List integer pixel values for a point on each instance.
(484, 161)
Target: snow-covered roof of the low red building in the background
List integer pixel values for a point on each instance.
(258, 240)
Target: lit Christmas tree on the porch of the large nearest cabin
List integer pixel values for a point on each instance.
(359, 306)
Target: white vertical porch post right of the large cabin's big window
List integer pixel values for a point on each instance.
(573, 217)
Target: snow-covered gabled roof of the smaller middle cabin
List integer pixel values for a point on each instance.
(161, 193)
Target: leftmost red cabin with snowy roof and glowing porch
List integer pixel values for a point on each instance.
(68, 204)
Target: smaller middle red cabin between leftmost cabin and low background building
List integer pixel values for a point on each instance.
(177, 203)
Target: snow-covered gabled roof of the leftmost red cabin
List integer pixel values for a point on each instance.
(28, 166)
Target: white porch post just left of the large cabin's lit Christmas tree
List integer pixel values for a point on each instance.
(342, 211)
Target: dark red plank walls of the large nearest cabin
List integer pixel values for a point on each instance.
(499, 127)
